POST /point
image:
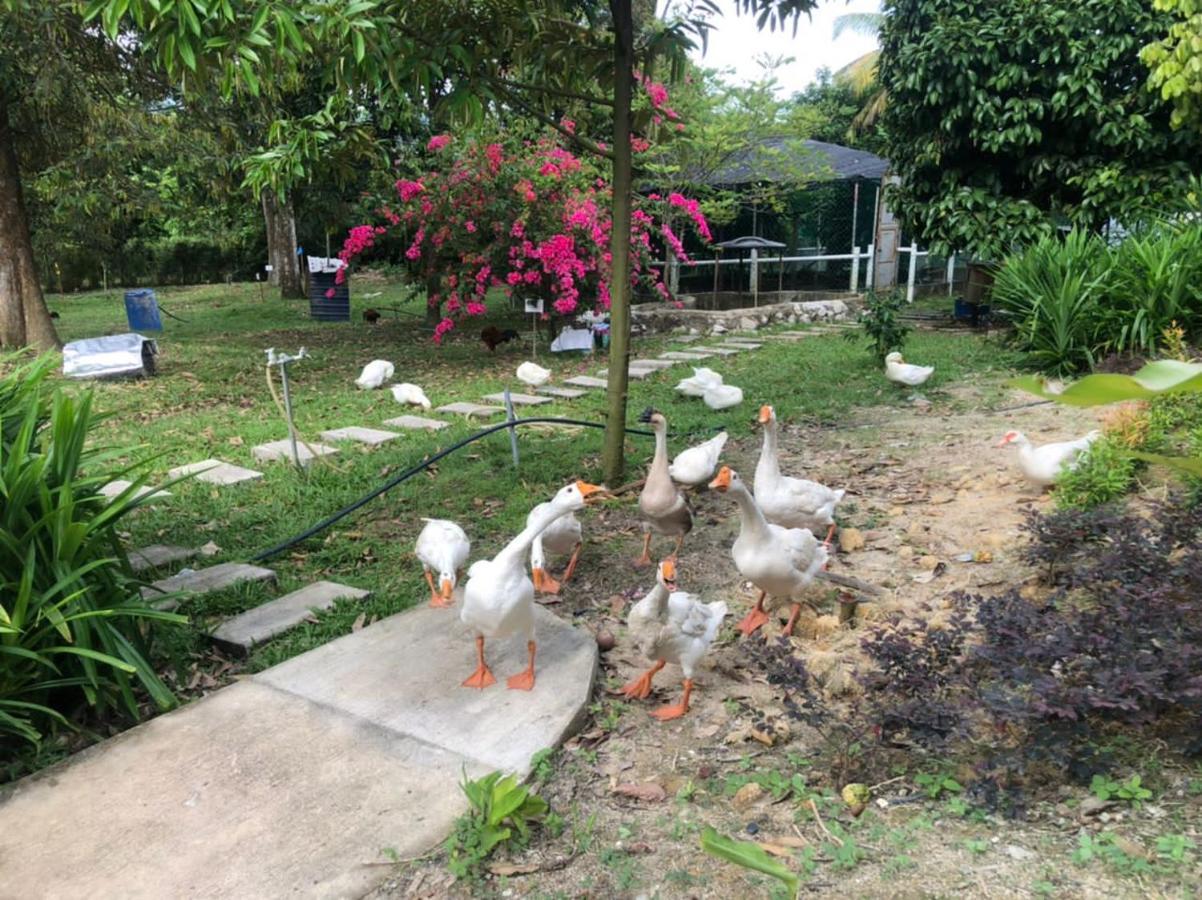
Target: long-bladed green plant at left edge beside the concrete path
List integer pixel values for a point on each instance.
(72, 617)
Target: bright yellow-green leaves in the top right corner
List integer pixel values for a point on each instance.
(1176, 62)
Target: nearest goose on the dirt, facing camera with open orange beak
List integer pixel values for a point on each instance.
(671, 627)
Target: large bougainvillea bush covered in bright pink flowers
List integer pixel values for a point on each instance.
(526, 216)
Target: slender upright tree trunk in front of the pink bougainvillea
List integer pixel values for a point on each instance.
(614, 457)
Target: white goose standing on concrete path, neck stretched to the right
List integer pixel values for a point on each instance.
(498, 599)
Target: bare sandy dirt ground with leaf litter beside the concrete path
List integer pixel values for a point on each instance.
(634, 794)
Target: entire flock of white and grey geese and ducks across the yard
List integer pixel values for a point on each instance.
(776, 551)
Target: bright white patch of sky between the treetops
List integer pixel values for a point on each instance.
(735, 44)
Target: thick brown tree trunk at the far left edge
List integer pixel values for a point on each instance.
(25, 320)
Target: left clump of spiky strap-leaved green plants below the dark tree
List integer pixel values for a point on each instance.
(1054, 294)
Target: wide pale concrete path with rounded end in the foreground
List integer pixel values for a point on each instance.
(289, 783)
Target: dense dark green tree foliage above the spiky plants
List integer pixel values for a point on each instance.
(1009, 118)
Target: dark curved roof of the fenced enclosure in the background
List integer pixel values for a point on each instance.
(767, 163)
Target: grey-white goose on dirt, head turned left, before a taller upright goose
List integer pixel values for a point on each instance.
(782, 563)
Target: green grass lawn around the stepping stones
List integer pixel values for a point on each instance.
(211, 400)
